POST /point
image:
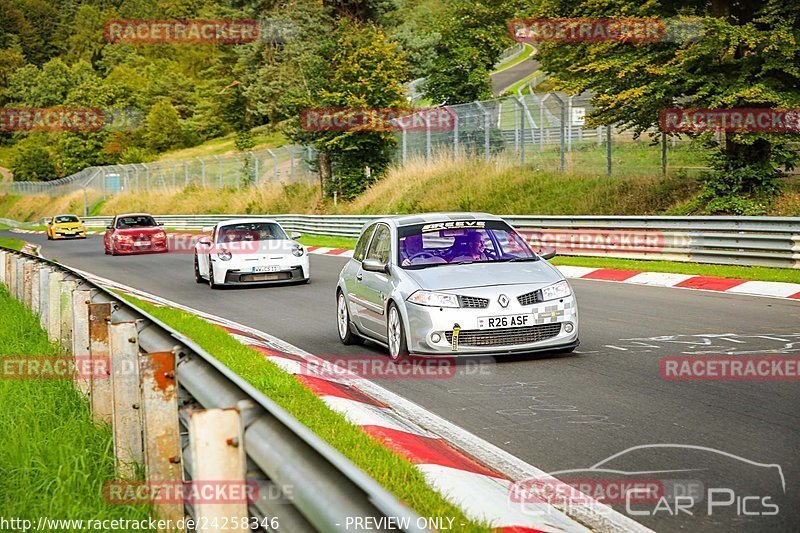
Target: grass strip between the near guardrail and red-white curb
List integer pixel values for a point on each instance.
(395, 473)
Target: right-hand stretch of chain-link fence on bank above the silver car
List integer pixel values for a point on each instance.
(549, 131)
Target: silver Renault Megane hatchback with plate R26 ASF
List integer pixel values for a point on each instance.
(453, 284)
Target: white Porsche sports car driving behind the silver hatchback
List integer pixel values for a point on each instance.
(249, 251)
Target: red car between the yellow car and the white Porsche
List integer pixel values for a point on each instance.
(134, 233)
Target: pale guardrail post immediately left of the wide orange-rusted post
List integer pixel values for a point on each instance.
(124, 348)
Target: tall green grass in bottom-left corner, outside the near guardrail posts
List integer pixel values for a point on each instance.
(54, 460)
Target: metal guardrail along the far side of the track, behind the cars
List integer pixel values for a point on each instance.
(752, 241)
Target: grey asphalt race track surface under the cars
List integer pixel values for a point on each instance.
(570, 412)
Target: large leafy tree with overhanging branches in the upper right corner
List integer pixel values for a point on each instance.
(748, 56)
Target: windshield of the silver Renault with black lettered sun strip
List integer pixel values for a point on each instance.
(458, 242)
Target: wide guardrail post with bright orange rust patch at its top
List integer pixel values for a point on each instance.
(162, 441)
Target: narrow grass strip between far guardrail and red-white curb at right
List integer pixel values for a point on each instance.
(724, 271)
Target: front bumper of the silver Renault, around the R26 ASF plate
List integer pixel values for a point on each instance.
(431, 330)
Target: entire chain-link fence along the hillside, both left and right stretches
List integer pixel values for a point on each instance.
(547, 130)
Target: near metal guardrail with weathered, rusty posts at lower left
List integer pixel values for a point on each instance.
(241, 433)
